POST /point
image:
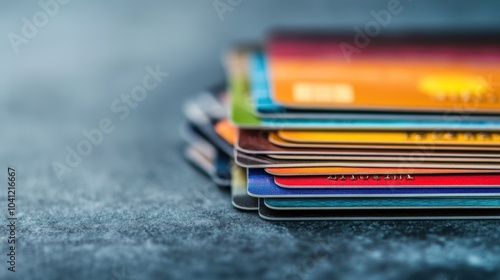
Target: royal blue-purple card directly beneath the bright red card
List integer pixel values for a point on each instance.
(261, 184)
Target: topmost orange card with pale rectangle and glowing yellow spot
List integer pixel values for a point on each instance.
(452, 79)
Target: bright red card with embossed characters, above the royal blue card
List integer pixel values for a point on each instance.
(384, 181)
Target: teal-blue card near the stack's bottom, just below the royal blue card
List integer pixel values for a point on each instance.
(382, 202)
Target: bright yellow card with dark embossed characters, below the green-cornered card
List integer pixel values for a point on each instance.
(448, 138)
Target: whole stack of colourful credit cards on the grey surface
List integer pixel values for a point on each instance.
(310, 127)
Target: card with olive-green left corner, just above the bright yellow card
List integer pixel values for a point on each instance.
(242, 113)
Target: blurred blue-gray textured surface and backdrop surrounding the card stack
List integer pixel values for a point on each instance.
(134, 209)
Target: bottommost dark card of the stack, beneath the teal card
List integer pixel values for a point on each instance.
(377, 214)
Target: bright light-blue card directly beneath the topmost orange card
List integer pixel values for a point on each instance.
(266, 108)
